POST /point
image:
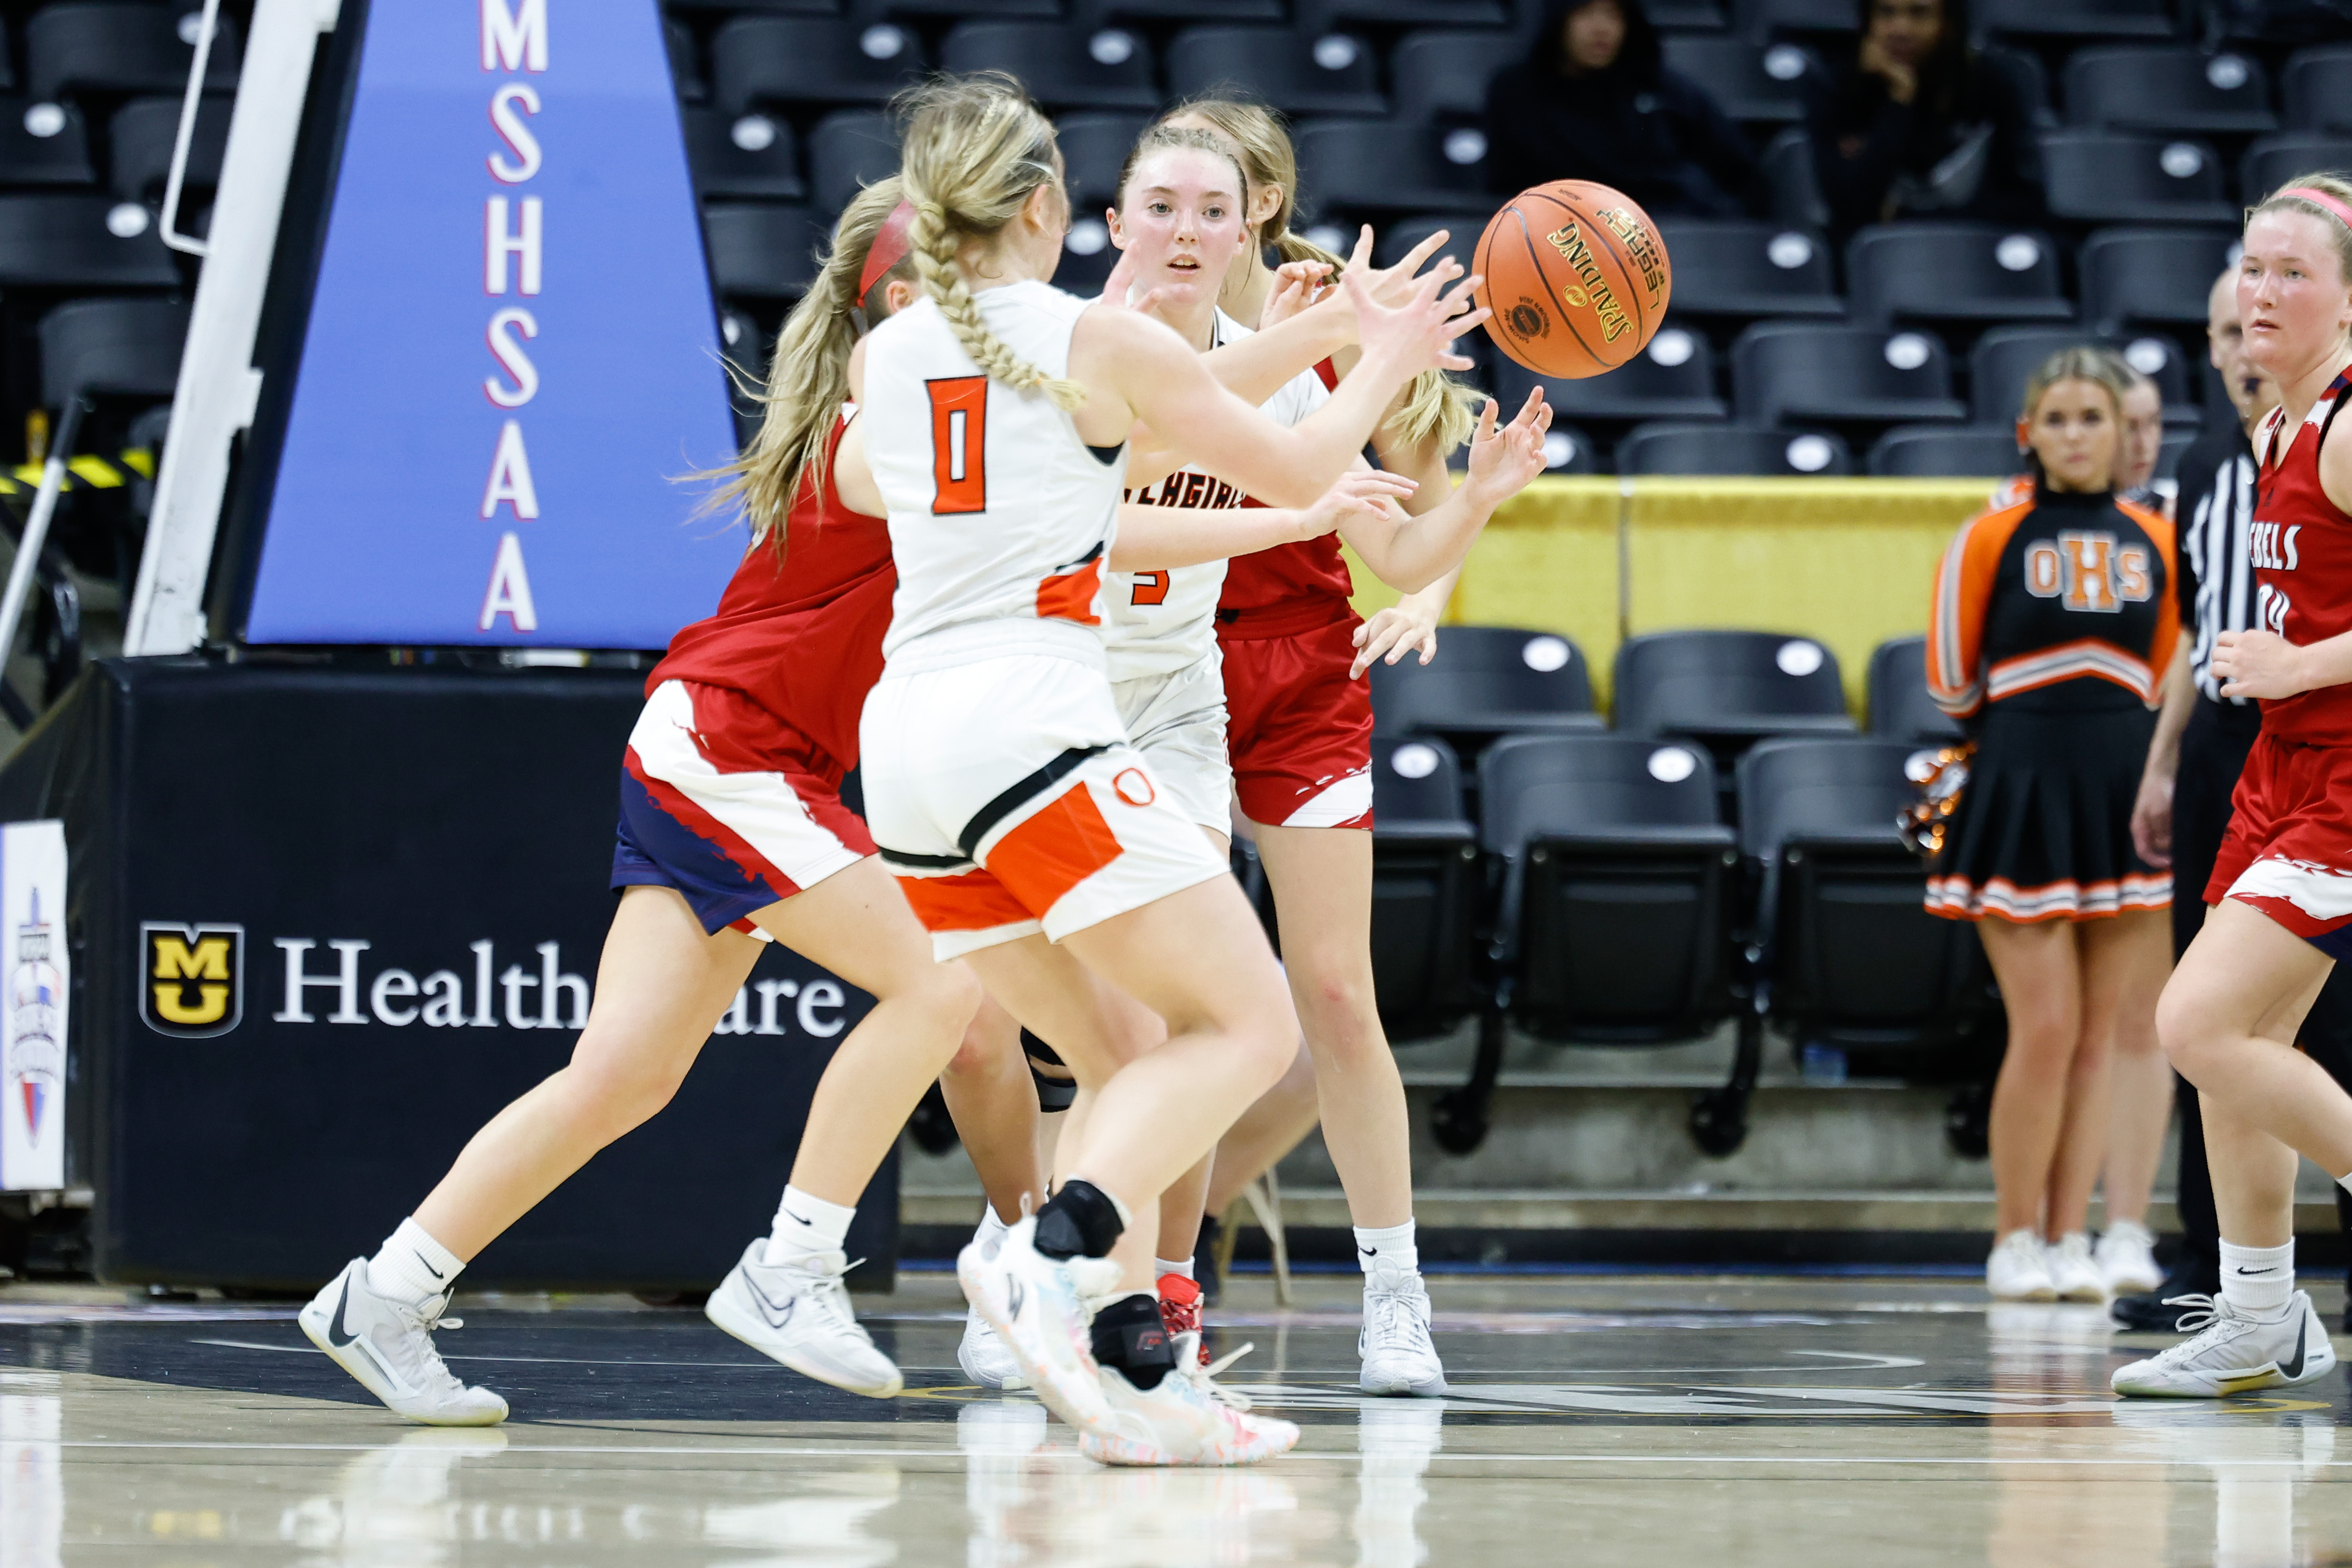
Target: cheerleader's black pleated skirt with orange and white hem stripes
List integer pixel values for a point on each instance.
(2045, 824)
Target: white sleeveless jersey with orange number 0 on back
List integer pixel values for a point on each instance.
(998, 511)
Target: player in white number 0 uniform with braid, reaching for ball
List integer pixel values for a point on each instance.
(998, 775)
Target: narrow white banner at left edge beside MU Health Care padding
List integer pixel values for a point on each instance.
(34, 1024)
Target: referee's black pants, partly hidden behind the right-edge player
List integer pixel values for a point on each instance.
(2212, 756)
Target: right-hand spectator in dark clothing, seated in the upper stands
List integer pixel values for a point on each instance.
(1923, 126)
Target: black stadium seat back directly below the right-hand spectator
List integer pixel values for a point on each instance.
(1953, 274)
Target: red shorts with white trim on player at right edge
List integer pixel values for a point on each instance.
(2290, 845)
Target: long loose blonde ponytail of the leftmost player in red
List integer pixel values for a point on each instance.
(808, 382)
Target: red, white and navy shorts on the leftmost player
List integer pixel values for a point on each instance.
(728, 805)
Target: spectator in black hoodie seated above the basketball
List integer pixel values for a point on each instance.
(1598, 102)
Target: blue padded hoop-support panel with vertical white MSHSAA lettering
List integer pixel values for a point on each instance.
(512, 351)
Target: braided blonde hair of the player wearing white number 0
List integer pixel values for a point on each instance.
(973, 152)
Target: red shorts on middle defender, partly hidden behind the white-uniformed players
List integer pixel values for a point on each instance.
(1299, 732)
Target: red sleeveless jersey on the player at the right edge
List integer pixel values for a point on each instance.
(2304, 565)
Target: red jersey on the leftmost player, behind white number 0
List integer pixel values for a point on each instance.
(801, 636)
